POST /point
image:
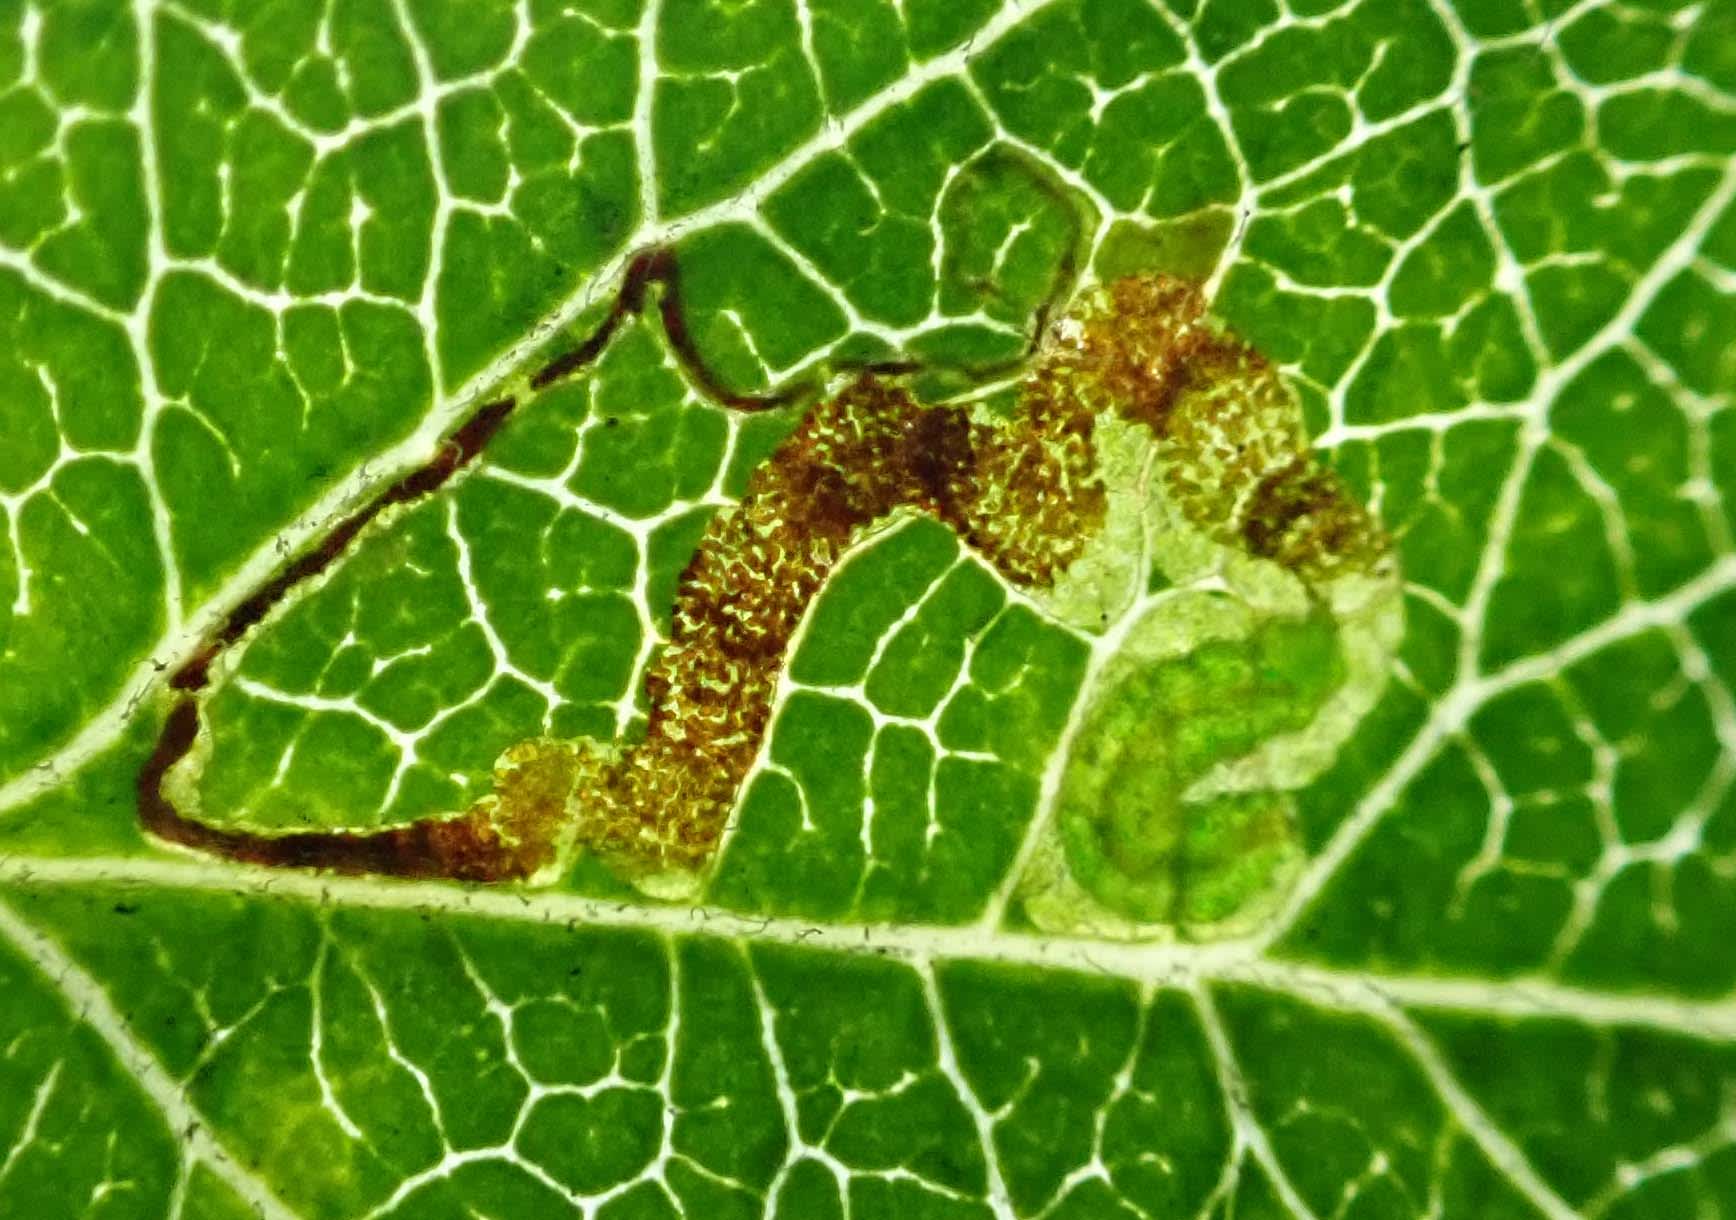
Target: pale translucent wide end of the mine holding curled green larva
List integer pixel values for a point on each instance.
(1167, 577)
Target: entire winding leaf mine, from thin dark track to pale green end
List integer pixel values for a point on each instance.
(1150, 489)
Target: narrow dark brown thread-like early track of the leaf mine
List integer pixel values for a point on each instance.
(454, 848)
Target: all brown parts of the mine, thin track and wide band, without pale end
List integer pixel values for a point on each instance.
(1025, 495)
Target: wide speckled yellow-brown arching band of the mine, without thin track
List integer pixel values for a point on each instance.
(1023, 494)
